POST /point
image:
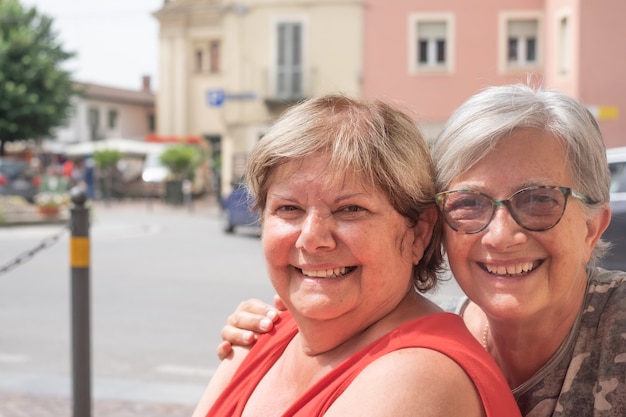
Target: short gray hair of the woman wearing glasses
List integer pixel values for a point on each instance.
(479, 124)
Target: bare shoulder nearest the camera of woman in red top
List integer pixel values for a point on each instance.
(406, 381)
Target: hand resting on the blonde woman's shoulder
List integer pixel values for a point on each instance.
(251, 317)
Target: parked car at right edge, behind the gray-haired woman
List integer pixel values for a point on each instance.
(616, 232)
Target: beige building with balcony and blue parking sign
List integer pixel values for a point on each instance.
(228, 69)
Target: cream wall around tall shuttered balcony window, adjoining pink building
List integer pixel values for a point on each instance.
(332, 59)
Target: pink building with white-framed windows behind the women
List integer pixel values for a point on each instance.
(434, 55)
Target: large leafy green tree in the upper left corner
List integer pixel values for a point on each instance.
(35, 92)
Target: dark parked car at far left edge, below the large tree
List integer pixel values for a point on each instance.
(17, 177)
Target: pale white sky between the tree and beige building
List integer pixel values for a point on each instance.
(115, 41)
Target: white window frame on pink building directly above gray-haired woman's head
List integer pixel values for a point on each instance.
(504, 65)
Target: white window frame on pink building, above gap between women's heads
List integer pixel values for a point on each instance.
(414, 20)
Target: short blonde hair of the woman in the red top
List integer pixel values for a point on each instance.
(379, 144)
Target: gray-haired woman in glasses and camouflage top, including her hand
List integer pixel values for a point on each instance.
(523, 187)
